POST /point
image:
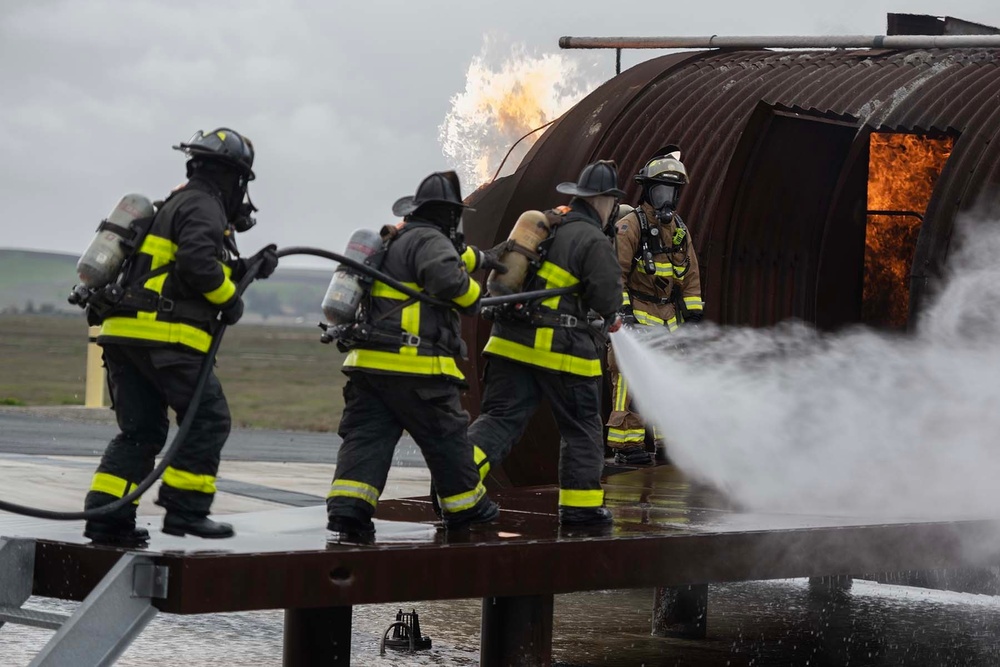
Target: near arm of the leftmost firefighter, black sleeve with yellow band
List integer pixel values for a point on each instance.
(200, 226)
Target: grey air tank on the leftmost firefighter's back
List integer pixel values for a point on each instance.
(103, 258)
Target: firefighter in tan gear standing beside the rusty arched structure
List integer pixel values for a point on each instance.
(662, 287)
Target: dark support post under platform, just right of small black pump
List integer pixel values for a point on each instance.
(516, 631)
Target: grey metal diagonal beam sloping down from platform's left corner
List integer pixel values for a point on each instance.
(108, 619)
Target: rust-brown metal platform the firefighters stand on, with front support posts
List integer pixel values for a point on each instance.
(673, 533)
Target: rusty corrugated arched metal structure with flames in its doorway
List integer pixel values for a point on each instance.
(786, 150)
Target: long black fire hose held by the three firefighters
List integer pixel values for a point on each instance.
(206, 368)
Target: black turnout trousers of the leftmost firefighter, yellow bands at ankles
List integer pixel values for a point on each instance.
(144, 382)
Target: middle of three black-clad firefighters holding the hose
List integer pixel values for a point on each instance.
(405, 377)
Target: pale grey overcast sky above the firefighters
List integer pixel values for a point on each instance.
(343, 100)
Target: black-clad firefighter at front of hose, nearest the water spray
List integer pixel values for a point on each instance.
(549, 351)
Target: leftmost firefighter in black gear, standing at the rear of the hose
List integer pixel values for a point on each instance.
(181, 280)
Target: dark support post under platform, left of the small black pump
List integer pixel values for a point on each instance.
(317, 637)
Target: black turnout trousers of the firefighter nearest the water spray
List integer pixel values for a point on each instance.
(510, 397)
